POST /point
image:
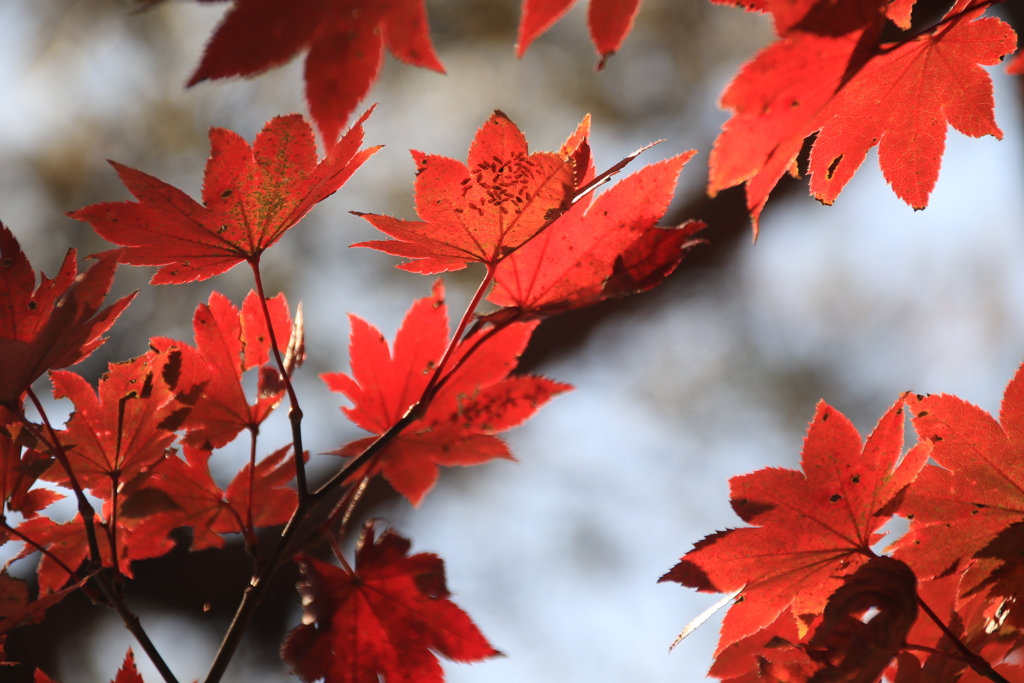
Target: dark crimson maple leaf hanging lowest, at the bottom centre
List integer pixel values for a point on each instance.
(382, 620)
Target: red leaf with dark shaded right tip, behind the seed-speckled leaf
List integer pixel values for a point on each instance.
(609, 247)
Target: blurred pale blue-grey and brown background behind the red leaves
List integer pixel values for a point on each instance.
(717, 373)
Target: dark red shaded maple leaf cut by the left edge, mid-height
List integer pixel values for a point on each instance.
(56, 325)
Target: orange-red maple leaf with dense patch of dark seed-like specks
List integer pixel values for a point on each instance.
(483, 212)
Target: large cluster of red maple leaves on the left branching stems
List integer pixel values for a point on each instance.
(142, 443)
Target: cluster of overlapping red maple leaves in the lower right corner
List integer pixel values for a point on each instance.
(806, 573)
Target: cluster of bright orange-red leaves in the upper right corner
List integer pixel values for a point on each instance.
(830, 74)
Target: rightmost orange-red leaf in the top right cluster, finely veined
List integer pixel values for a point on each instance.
(940, 81)
